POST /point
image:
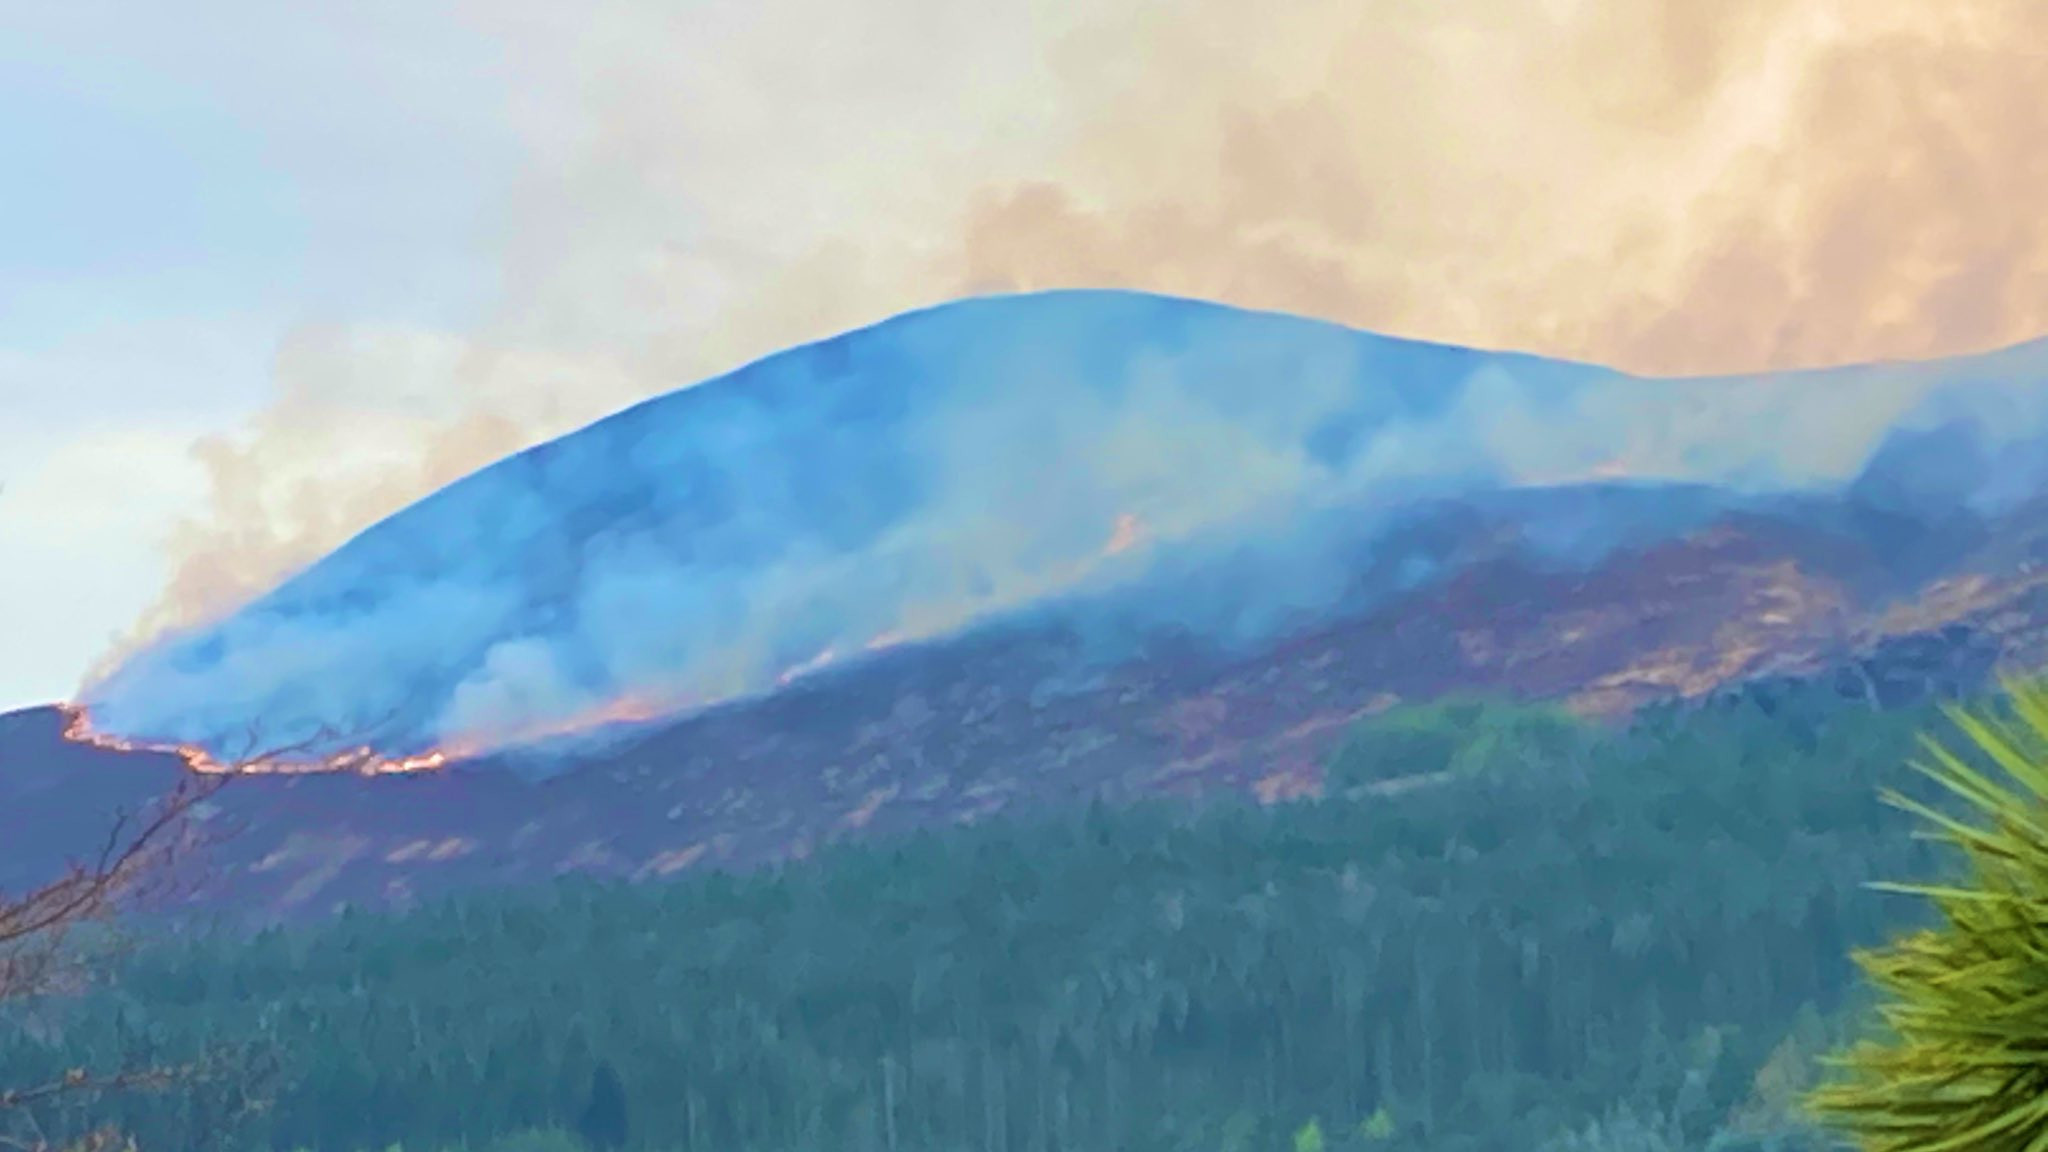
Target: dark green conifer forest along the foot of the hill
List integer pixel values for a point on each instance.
(1500, 932)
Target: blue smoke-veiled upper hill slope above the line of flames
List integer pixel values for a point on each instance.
(1170, 462)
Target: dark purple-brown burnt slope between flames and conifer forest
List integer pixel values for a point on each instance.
(957, 731)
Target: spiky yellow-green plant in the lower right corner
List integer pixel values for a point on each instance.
(1961, 1061)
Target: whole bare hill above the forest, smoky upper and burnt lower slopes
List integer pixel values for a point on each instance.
(1426, 522)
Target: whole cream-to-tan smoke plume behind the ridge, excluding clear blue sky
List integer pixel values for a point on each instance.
(1660, 186)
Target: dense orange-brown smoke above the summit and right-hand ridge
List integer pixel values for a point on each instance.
(1670, 188)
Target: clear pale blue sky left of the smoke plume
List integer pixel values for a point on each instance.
(175, 206)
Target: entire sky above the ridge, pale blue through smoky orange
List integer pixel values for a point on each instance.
(271, 272)
